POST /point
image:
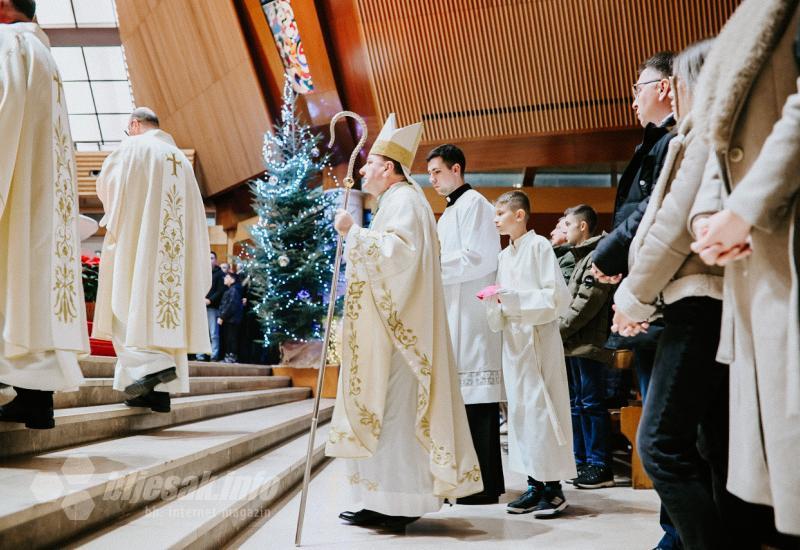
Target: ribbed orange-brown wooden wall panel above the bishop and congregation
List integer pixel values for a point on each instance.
(484, 69)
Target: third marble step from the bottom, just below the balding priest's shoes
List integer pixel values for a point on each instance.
(82, 424)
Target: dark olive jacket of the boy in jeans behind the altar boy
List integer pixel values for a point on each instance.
(584, 328)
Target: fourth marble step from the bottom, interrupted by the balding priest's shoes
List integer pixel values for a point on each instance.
(100, 391)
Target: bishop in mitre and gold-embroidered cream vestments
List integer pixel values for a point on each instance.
(399, 411)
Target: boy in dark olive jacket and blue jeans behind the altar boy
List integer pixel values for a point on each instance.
(584, 329)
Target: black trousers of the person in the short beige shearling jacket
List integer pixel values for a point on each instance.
(683, 434)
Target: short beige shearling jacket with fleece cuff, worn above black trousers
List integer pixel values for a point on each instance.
(662, 266)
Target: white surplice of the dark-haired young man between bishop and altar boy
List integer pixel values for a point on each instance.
(470, 246)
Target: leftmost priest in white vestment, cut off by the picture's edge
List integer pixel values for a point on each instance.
(42, 313)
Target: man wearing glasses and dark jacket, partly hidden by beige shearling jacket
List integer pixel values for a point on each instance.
(653, 109)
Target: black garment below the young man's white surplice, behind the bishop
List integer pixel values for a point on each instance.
(484, 424)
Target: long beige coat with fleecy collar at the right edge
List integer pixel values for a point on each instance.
(754, 170)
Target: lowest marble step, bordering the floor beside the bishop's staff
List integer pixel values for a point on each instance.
(211, 515)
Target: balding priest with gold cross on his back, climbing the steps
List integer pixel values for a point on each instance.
(154, 272)
